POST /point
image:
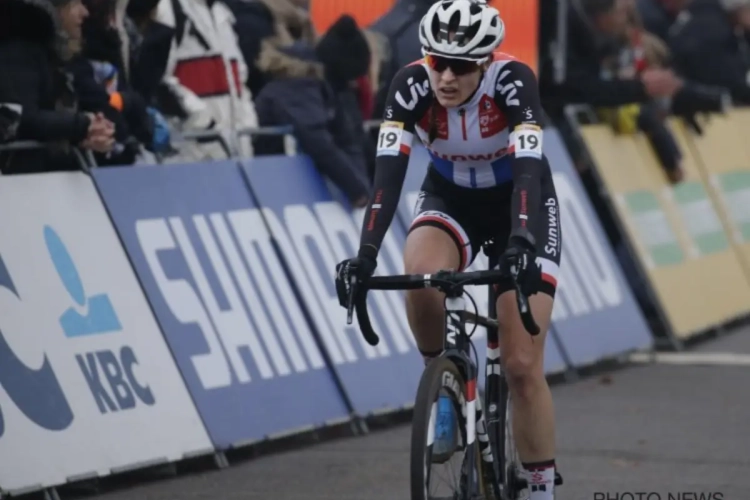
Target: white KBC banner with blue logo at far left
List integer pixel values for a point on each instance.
(87, 384)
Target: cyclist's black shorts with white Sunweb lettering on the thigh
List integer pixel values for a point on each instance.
(481, 218)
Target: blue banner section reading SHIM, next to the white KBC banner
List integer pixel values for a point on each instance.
(203, 254)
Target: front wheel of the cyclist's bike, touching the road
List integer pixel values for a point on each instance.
(448, 469)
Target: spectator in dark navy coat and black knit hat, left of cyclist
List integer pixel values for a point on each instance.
(324, 112)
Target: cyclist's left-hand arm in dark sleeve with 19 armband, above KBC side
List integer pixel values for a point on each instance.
(393, 149)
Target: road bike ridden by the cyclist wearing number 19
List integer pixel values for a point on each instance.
(490, 466)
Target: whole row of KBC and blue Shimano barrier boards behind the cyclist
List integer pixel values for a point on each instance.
(168, 311)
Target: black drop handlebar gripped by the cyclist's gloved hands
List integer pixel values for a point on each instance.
(442, 279)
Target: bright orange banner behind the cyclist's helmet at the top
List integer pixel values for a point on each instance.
(521, 21)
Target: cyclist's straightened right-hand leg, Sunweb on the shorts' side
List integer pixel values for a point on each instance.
(523, 359)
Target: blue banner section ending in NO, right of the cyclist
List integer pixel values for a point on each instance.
(595, 315)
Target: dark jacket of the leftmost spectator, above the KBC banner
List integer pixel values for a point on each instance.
(33, 77)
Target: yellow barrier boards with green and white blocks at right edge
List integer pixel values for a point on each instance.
(675, 230)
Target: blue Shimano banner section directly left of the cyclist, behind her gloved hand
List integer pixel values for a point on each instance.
(314, 232)
